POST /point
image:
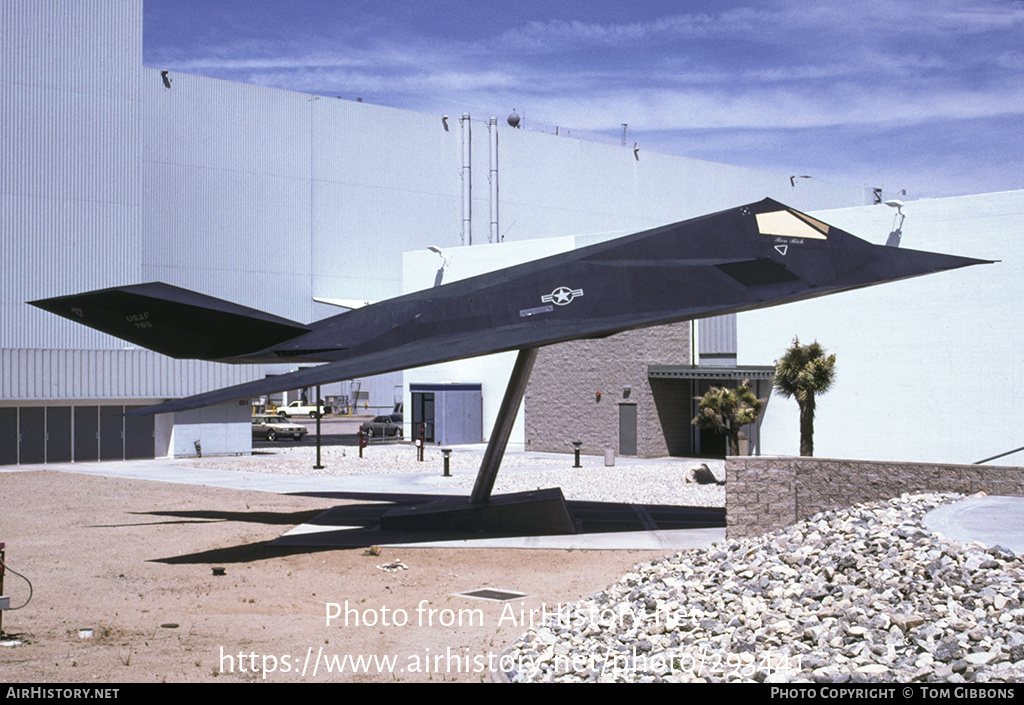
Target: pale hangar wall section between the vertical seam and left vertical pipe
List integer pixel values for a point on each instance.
(385, 182)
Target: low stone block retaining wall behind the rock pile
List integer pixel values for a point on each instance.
(763, 494)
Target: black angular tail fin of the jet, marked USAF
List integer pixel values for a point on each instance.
(176, 322)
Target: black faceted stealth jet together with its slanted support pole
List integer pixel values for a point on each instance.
(757, 256)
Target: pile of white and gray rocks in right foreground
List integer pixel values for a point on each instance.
(863, 595)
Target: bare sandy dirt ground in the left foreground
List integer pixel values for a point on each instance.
(134, 561)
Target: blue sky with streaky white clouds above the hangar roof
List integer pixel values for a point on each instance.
(922, 96)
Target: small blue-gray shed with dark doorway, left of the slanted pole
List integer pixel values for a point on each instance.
(449, 413)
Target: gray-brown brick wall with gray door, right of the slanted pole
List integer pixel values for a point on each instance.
(562, 401)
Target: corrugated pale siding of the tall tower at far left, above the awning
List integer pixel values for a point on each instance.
(70, 159)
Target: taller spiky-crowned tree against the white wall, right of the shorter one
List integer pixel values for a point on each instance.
(803, 374)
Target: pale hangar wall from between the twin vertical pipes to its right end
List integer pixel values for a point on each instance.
(553, 186)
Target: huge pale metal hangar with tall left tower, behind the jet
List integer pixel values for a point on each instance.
(115, 174)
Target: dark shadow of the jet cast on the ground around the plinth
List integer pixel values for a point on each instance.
(357, 525)
